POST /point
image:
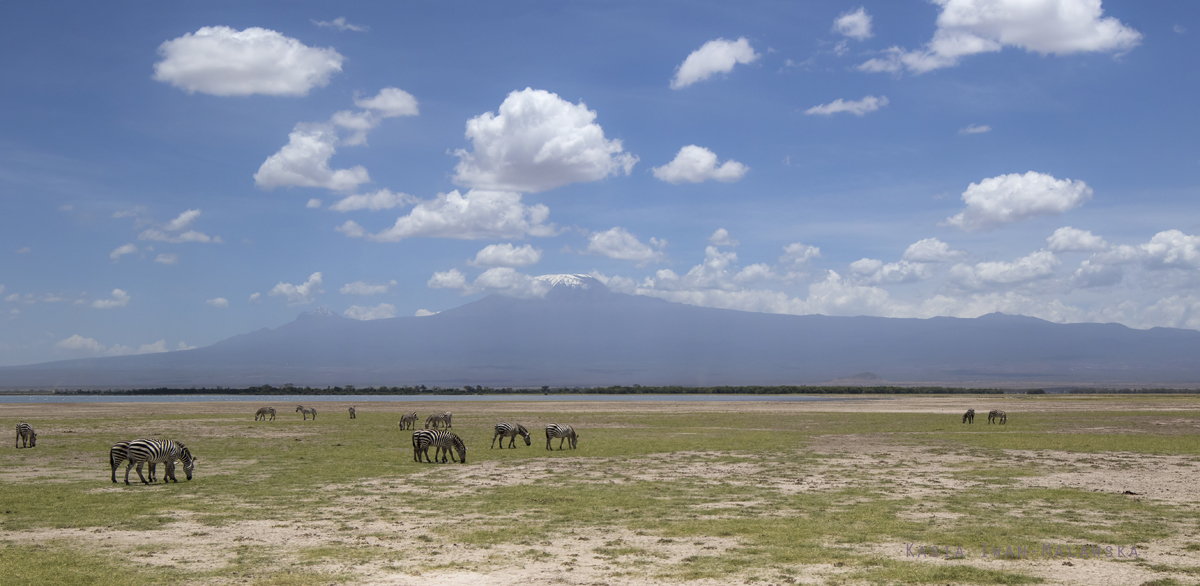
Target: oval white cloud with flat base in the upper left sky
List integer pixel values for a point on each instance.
(225, 62)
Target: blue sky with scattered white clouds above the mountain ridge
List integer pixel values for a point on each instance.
(171, 177)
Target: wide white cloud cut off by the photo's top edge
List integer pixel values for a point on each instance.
(1047, 27)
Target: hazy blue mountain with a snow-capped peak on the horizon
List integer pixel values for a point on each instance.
(581, 334)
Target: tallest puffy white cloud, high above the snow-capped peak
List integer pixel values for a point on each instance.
(538, 142)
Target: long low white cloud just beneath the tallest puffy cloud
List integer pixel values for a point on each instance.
(478, 214)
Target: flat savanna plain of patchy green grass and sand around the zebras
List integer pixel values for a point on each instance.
(857, 492)
